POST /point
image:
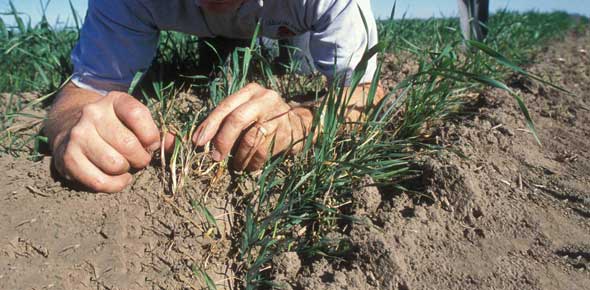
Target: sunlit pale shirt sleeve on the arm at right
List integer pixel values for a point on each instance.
(339, 39)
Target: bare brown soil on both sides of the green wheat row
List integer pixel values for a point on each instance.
(512, 215)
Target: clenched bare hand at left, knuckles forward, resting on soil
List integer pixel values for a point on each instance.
(98, 142)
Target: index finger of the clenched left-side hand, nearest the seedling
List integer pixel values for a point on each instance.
(137, 117)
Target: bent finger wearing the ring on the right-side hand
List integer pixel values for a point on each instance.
(253, 142)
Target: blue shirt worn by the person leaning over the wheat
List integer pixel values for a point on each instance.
(120, 37)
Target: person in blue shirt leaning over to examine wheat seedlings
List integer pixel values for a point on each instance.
(97, 132)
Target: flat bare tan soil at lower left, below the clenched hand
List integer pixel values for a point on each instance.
(57, 238)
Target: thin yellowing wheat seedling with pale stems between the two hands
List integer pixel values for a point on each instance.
(185, 162)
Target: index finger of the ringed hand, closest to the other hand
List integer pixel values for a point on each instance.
(206, 131)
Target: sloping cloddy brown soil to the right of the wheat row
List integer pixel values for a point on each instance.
(510, 214)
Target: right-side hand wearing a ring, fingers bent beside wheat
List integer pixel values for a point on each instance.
(252, 118)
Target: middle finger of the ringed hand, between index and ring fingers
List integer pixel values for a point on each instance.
(239, 120)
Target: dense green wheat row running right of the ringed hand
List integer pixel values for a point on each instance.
(313, 188)
